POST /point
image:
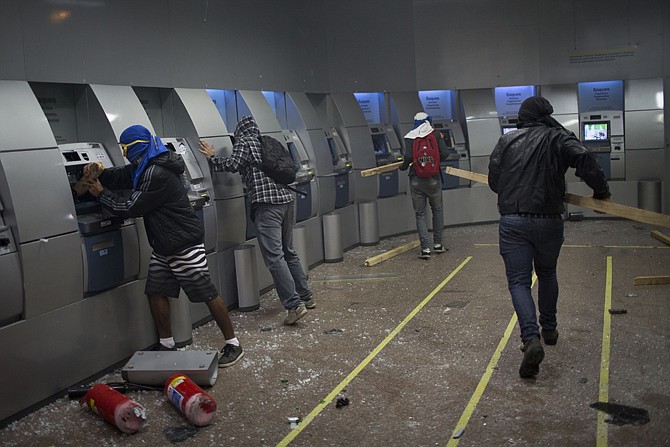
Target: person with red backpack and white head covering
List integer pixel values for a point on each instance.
(424, 148)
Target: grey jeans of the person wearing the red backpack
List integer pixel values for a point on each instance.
(427, 190)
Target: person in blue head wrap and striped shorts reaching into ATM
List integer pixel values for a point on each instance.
(155, 175)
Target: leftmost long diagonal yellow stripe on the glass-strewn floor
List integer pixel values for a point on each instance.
(324, 403)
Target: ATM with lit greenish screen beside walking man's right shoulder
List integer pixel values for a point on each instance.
(602, 134)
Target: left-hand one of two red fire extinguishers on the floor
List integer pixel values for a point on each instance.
(117, 409)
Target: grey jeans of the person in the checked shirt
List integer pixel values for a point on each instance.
(274, 231)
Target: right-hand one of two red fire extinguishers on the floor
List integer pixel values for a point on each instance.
(198, 406)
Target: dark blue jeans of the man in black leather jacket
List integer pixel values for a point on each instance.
(527, 243)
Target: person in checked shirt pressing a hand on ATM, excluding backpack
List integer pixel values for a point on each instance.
(272, 211)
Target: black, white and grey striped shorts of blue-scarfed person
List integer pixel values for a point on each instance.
(187, 270)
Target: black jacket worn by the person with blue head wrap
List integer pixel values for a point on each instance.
(169, 218)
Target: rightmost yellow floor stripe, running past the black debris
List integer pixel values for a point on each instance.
(603, 387)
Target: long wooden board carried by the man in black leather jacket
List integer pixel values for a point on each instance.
(629, 212)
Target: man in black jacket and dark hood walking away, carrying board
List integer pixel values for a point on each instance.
(527, 170)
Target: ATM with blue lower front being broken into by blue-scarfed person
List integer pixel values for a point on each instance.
(100, 231)
